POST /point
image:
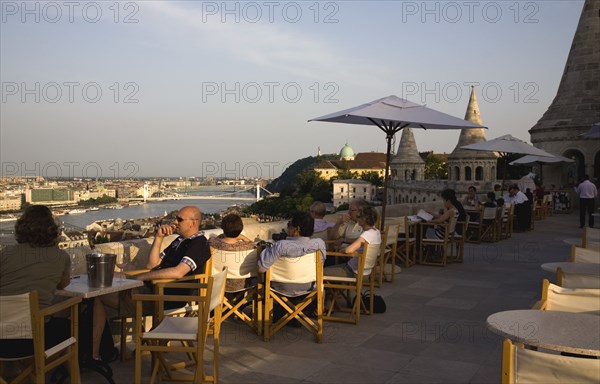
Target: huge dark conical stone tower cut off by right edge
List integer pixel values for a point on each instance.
(577, 103)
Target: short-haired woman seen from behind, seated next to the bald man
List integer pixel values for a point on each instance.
(232, 240)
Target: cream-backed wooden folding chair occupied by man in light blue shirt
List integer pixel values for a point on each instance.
(304, 269)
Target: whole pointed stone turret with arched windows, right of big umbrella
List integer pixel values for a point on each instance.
(465, 165)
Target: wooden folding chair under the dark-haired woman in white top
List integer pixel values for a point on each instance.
(349, 289)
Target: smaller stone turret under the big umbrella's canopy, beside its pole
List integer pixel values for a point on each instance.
(407, 165)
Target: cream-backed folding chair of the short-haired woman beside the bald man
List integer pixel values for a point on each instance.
(241, 265)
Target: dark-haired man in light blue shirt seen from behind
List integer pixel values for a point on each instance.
(297, 244)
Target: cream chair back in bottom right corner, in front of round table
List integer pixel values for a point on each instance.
(520, 365)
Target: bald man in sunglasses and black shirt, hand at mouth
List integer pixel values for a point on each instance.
(186, 255)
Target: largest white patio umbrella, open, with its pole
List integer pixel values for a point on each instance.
(391, 114)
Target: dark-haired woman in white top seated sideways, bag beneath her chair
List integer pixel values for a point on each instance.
(367, 217)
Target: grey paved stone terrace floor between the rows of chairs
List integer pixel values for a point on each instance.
(433, 331)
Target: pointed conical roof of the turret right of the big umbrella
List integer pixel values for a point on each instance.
(471, 136)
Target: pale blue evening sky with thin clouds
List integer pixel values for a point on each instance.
(226, 89)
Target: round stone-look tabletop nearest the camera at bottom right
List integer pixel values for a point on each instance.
(559, 331)
